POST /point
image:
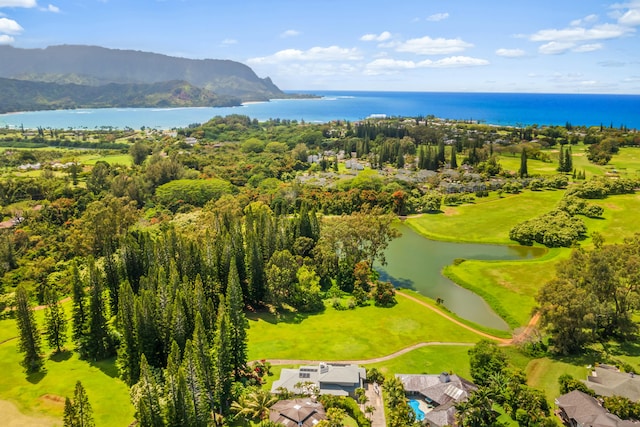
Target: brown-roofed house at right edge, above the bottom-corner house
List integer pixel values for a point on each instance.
(607, 380)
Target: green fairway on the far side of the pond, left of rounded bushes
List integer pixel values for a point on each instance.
(485, 221)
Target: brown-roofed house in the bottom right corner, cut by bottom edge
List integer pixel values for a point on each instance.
(578, 409)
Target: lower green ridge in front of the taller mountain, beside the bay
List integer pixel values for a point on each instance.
(21, 95)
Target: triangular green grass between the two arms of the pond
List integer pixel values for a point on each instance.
(509, 287)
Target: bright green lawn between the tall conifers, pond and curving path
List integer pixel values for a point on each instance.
(363, 333)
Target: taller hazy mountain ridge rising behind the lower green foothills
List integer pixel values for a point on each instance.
(99, 67)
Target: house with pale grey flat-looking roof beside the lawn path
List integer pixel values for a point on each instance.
(329, 378)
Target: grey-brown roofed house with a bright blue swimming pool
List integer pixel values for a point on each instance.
(436, 395)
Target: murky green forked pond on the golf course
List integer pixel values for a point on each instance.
(414, 262)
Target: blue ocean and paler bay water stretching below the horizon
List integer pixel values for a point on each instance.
(491, 108)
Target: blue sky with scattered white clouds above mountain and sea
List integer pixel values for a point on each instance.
(560, 46)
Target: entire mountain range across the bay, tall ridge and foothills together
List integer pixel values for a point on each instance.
(76, 76)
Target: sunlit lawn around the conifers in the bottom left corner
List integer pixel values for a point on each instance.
(43, 394)
